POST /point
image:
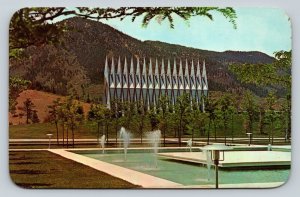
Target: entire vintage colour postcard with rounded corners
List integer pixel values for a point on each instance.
(150, 97)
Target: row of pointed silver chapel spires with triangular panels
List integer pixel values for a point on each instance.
(147, 86)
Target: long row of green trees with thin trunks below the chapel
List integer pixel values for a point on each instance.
(218, 120)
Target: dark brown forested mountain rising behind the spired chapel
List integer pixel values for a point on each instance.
(76, 64)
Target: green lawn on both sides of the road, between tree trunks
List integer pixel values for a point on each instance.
(88, 130)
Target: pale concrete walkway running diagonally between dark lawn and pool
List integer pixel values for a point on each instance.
(131, 176)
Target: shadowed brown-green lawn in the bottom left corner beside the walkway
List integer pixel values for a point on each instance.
(42, 169)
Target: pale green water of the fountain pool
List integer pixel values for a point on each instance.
(188, 173)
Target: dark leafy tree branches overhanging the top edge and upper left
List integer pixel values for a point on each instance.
(33, 26)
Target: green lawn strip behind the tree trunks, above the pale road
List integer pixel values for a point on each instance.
(88, 130)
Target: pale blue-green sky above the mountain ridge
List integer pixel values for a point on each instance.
(258, 29)
